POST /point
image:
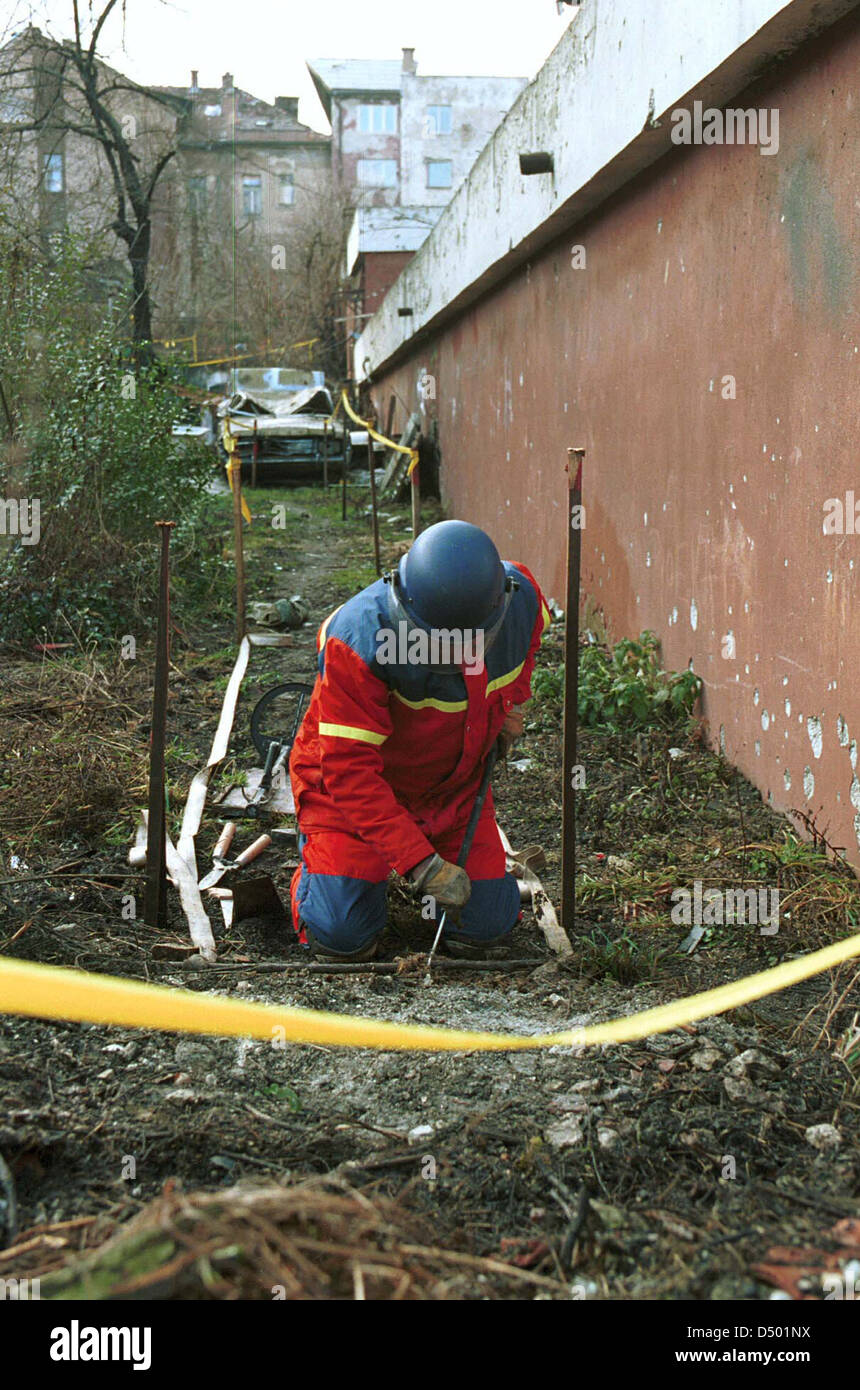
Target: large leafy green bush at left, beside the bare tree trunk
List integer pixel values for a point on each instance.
(94, 444)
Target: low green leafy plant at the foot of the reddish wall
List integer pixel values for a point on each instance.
(625, 687)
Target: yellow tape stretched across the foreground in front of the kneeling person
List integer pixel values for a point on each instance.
(49, 992)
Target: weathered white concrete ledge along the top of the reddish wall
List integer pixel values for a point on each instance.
(601, 106)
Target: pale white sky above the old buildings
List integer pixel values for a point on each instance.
(265, 44)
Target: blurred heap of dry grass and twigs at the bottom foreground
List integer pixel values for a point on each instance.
(317, 1241)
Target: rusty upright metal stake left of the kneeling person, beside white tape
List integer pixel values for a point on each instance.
(155, 897)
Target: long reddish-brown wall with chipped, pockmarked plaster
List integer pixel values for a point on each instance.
(708, 359)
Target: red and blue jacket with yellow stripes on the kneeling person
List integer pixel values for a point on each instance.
(392, 754)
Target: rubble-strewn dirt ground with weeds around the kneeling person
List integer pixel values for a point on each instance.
(662, 1170)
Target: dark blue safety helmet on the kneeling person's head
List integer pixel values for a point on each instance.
(452, 578)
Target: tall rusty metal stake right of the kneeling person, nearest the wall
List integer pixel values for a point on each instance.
(572, 690)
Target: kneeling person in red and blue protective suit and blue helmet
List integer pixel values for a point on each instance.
(420, 675)
